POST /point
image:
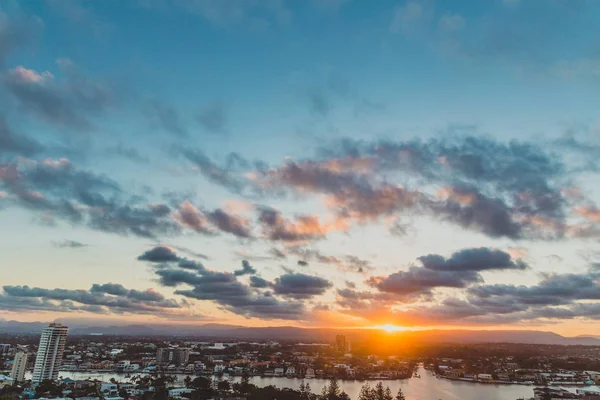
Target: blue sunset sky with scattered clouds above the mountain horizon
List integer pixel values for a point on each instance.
(318, 163)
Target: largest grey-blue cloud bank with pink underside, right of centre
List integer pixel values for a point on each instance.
(514, 190)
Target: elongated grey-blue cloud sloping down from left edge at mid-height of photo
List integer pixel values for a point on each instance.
(60, 191)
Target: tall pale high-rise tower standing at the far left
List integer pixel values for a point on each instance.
(50, 352)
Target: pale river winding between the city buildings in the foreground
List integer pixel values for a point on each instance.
(428, 387)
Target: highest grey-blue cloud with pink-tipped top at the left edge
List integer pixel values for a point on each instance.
(70, 101)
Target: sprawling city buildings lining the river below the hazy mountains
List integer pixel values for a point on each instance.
(154, 357)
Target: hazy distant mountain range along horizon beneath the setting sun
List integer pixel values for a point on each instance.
(305, 334)
